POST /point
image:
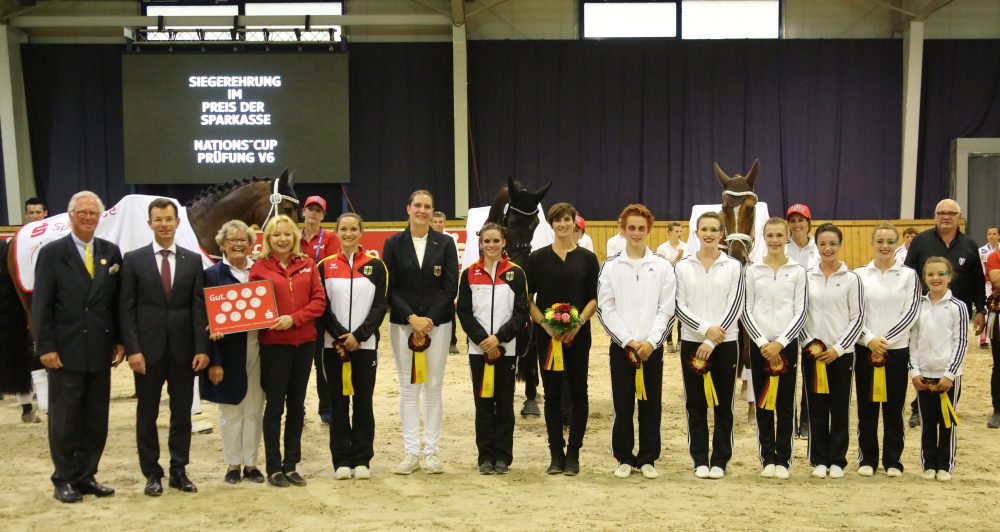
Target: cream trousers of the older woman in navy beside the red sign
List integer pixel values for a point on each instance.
(241, 425)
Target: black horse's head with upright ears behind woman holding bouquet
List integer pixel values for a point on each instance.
(516, 209)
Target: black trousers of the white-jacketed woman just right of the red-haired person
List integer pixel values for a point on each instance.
(724, 359)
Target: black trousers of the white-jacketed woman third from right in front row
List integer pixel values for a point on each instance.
(828, 413)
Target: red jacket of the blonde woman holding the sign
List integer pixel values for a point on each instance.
(298, 293)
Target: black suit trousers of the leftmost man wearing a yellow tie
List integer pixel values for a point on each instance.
(78, 422)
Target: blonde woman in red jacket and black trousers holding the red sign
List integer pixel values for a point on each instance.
(286, 349)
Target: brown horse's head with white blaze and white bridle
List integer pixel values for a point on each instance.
(738, 210)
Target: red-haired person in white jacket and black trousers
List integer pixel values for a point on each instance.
(635, 302)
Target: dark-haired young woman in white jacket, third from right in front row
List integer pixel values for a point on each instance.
(835, 317)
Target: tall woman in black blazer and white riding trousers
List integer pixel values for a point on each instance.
(423, 277)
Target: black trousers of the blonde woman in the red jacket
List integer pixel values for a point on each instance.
(284, 376)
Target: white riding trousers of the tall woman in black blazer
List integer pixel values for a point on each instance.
(409, 394)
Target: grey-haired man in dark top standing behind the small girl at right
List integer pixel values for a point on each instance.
(946, 240)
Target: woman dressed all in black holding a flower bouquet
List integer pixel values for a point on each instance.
(563, 272)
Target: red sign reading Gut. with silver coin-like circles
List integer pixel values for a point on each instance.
(241, 307)
